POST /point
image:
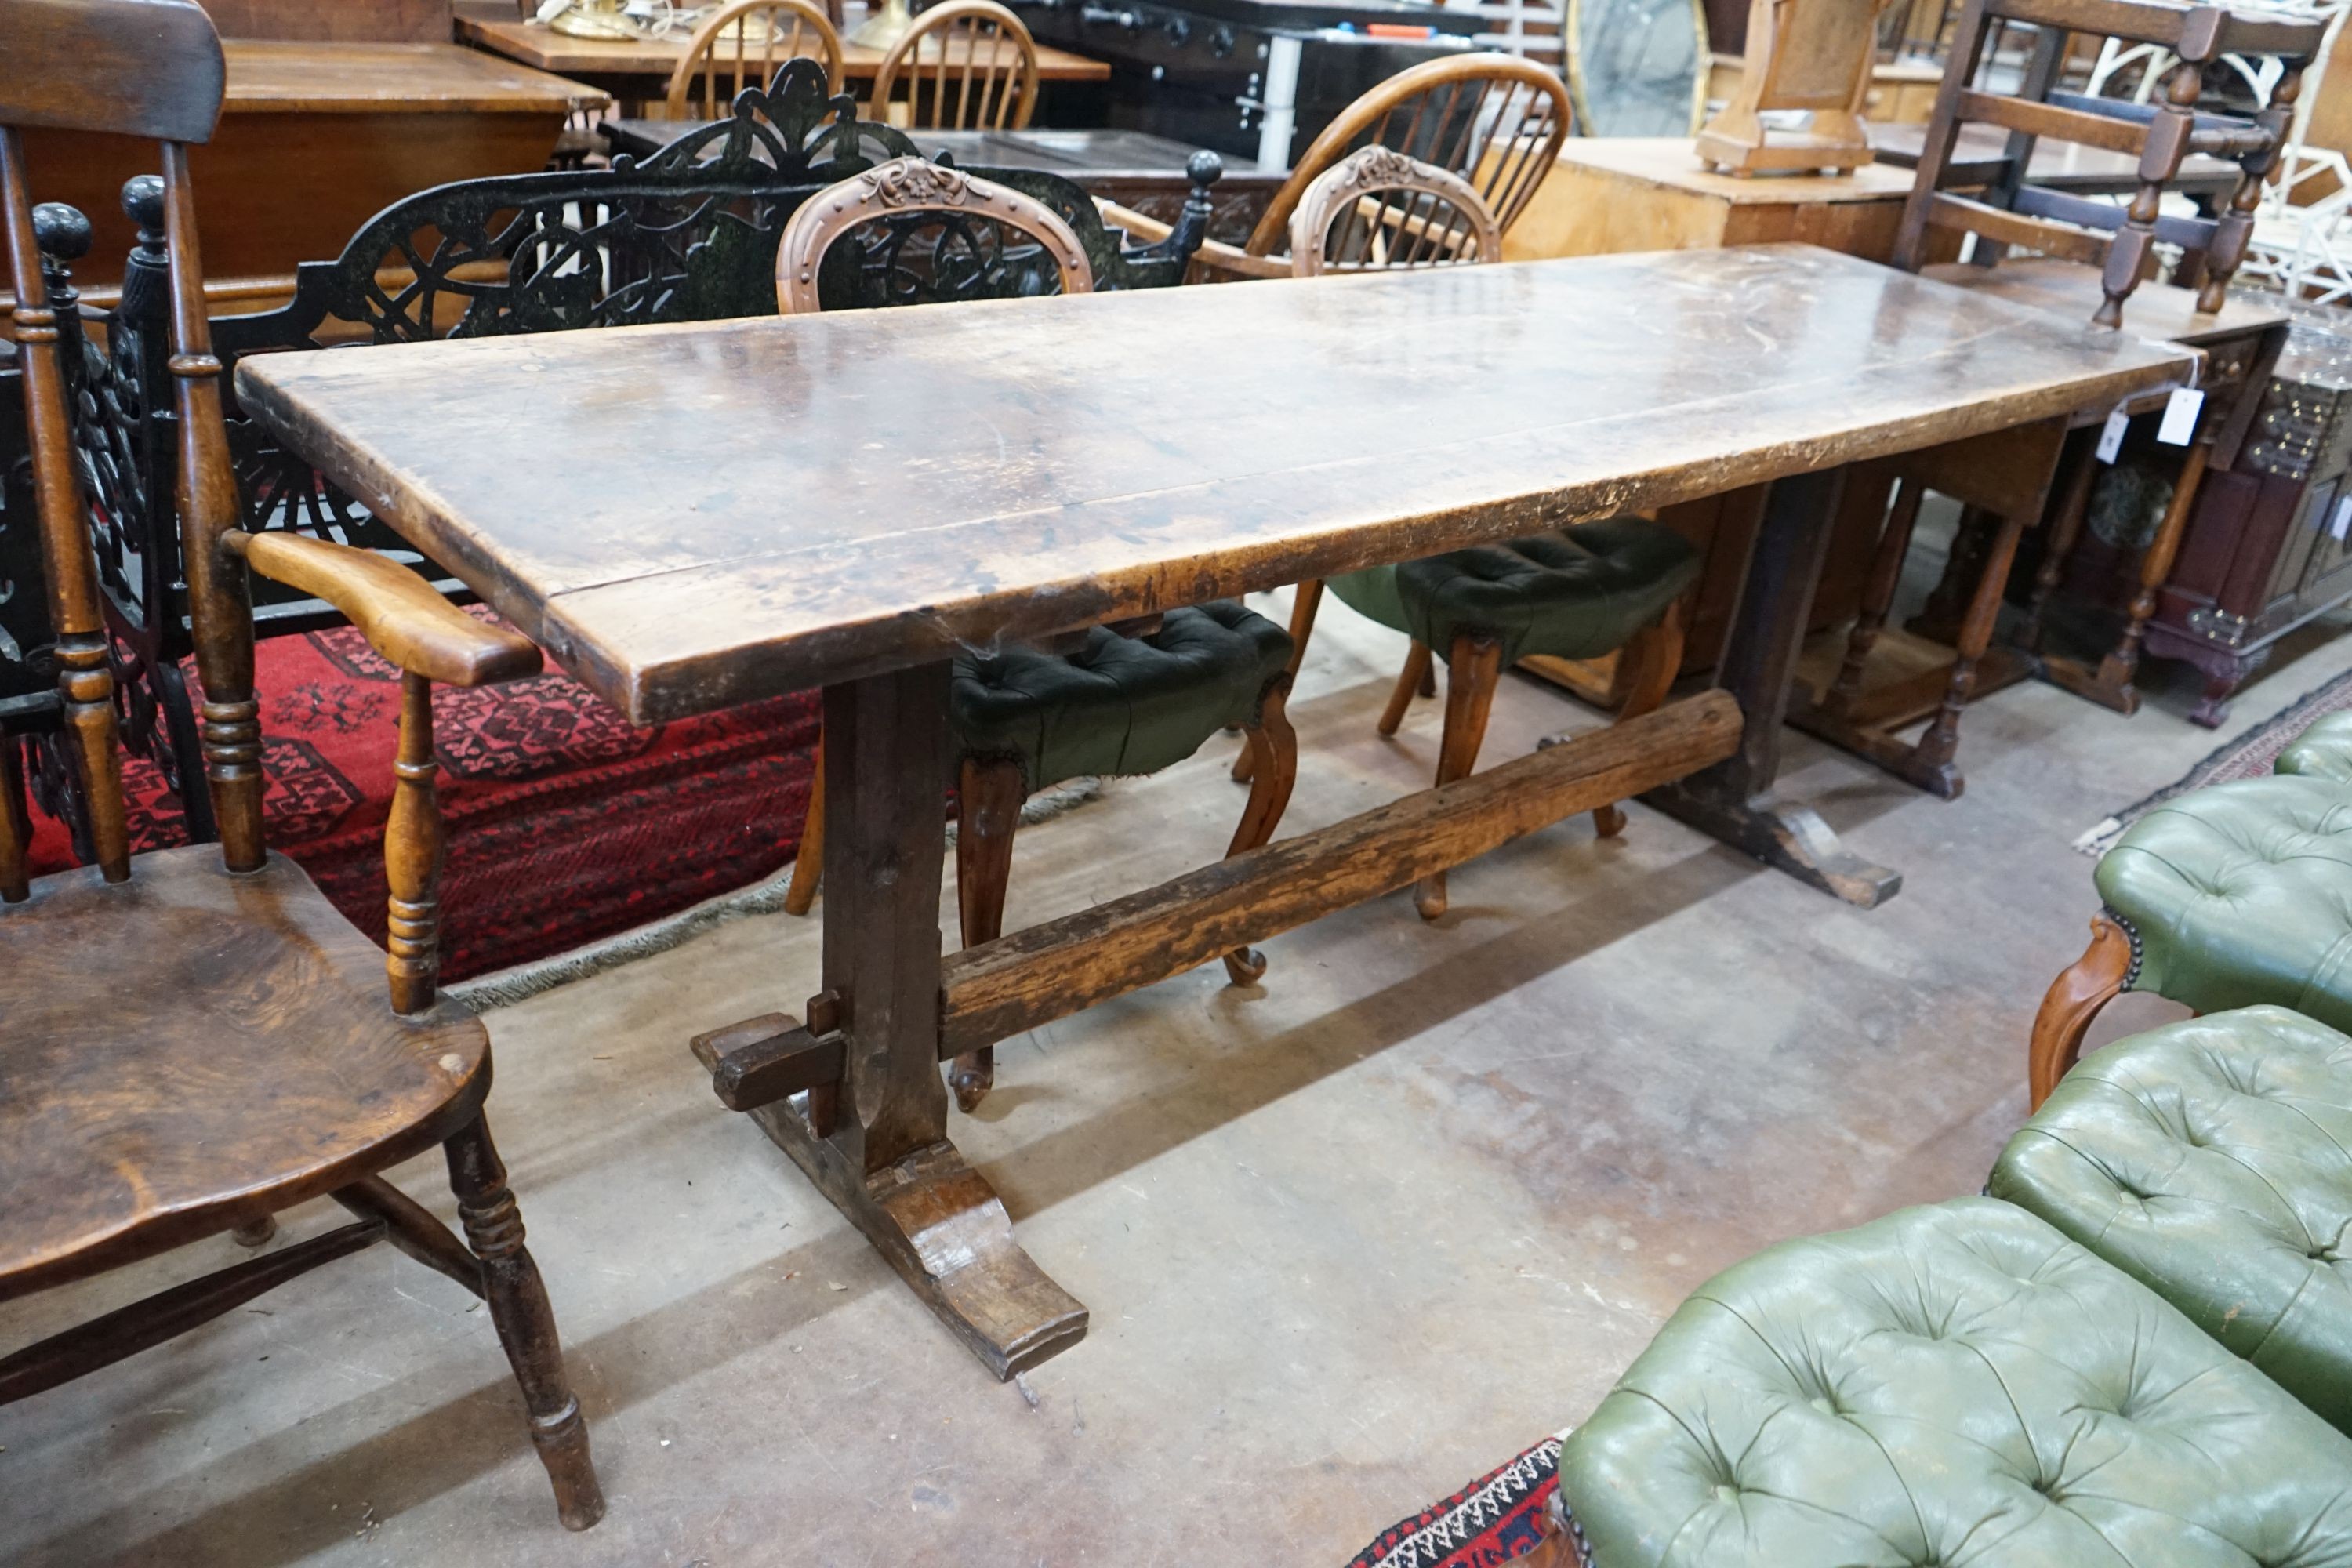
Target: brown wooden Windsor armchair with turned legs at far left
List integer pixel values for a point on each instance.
(199, 1040)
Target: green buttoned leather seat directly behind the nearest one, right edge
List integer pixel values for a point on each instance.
(2212, 1160)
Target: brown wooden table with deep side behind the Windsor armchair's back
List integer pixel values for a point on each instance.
(314, 140)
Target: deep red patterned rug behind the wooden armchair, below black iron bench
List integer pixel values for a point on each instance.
(566, 822)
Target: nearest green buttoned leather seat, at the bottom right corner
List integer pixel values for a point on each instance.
(1951, 1386)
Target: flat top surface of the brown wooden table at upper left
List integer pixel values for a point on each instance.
(286, 79)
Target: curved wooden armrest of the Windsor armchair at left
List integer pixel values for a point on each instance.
(394, 608)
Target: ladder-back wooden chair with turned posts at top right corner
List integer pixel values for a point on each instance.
(2120, 241)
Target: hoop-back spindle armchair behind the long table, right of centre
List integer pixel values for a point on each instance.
(1492, 119)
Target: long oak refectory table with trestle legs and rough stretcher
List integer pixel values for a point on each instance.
(704, 516)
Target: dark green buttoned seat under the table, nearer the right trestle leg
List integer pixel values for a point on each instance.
(1575, 594)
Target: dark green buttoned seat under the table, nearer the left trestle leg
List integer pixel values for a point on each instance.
(1121, 704)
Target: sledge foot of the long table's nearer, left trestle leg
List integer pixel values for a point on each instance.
(942, 1226)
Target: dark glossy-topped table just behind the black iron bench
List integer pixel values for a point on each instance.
(1128, 168)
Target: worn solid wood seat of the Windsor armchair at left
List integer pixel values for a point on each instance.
(194, 1052)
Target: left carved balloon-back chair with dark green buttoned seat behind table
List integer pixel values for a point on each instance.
(1111, 699)
